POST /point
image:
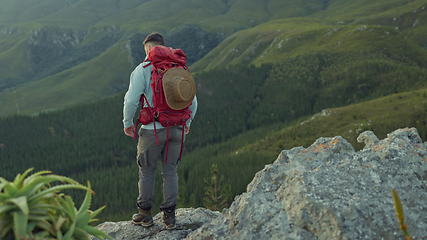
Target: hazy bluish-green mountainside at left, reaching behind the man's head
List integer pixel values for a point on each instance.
(62, 47)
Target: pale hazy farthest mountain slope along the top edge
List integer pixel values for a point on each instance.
(159, 15)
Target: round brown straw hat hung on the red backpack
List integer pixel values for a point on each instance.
(179, 88)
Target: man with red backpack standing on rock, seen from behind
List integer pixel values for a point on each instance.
(166, 92)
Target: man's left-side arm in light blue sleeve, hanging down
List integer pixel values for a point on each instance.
(132, 96)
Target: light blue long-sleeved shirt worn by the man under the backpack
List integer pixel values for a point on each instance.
(140, 80)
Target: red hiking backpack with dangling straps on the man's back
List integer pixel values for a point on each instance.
(164, 60)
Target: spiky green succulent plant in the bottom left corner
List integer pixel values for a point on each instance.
(31, 207)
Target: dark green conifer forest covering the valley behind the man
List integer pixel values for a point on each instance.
(238, 107)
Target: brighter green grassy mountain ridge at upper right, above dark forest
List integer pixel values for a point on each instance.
(397, 34)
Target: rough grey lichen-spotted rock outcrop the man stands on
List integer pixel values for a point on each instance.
(325, 191)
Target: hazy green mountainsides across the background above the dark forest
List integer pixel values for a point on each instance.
(81, 51)
